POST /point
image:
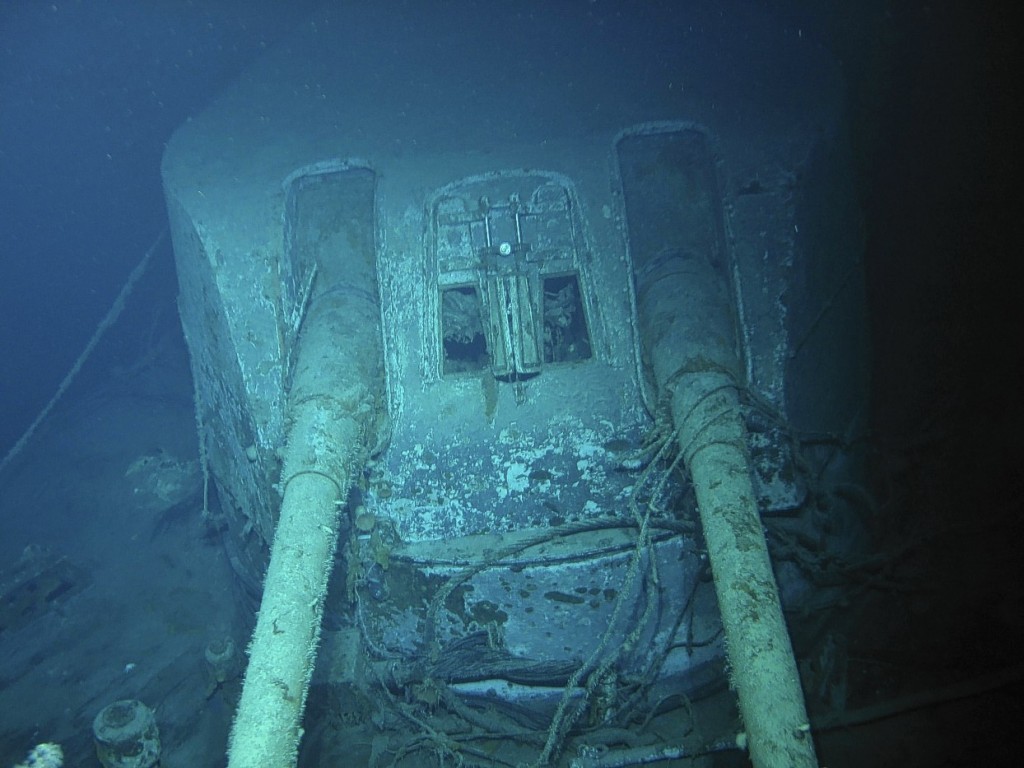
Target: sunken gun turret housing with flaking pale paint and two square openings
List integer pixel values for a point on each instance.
(517, 525)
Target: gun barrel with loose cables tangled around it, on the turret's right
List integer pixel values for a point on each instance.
(688, 328)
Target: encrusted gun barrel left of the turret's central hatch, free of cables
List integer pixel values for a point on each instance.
(336, 407)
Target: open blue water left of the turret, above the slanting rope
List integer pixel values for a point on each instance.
(90, 94)
